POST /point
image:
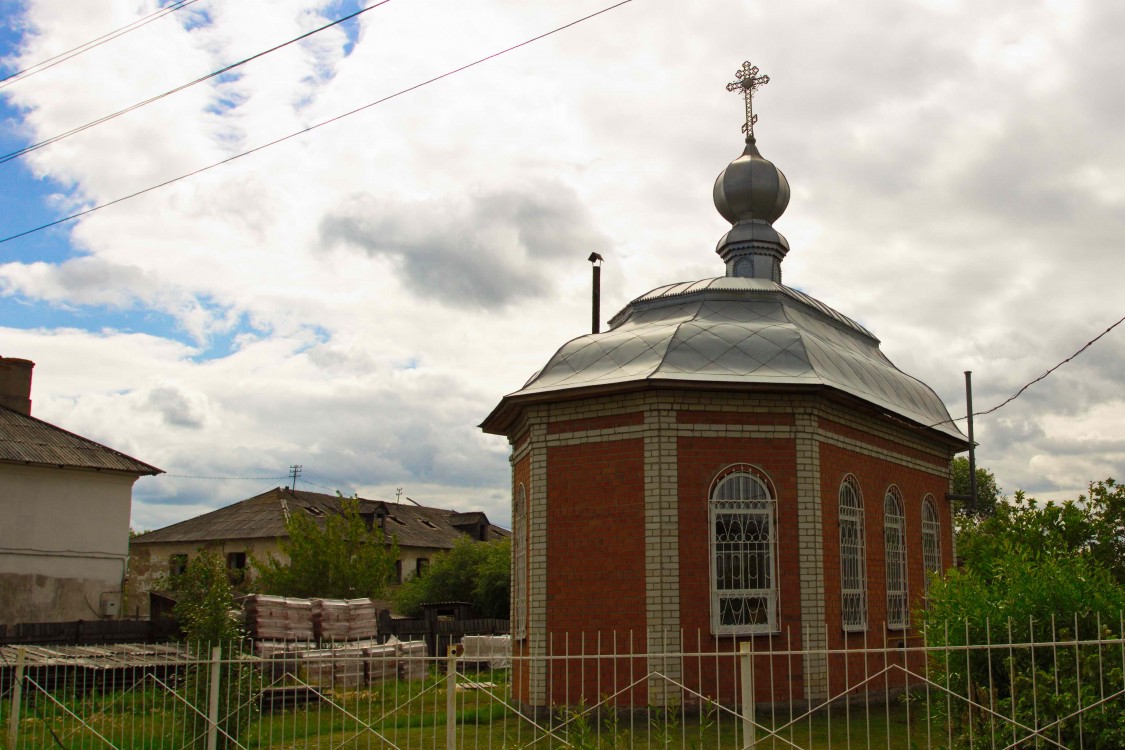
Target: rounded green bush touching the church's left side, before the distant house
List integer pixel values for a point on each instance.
(472, 572)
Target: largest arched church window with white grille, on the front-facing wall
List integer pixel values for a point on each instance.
(743, 536)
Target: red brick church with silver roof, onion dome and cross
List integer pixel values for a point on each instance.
(733, 462)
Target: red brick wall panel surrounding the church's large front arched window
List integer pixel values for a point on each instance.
(700, 460)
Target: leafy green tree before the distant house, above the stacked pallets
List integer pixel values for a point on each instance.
(343, 559)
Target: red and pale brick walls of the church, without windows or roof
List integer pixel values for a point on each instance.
(618, 543)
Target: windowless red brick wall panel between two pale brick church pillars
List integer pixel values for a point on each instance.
(596, 559)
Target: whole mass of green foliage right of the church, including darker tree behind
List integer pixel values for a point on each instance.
(1034, 574)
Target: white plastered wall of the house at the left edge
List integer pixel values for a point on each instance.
(64, 544)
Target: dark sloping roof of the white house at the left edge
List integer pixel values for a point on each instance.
(34, 442)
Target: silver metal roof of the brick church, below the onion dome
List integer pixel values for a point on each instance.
(739, 331)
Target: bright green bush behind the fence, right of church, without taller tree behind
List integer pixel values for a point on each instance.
(1014, 598)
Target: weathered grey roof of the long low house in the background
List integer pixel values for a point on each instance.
(264, 517)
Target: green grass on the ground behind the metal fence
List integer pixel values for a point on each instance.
(412, 715)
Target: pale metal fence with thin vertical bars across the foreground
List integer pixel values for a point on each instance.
(1019, 685)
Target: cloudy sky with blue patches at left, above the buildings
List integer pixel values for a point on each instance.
(358, 299)
